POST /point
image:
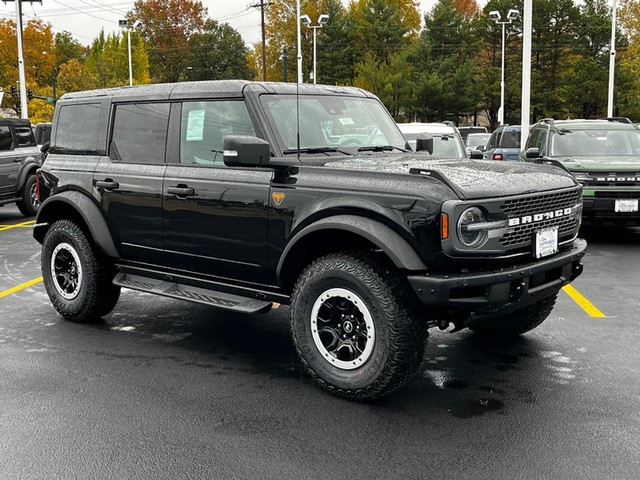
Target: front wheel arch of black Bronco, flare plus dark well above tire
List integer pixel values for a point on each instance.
(354, 231)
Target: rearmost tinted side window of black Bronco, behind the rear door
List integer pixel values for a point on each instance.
(77, 128)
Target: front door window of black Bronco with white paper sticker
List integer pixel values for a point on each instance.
(204, 125)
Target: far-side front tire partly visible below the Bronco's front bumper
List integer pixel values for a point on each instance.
(516, 323)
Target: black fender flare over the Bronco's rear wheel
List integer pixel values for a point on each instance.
(87, 210)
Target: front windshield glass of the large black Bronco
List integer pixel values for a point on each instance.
(331, 121)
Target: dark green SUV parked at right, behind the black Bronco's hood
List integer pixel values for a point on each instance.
(603, 155)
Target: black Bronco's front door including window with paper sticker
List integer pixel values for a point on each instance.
(215, 217)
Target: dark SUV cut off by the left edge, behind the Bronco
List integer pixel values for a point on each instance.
(20, 158)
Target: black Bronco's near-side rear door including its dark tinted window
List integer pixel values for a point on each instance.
(129, 179)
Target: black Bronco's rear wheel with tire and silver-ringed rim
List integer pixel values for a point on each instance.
(77, 277)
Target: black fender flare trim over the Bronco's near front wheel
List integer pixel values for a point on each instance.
(389, 241)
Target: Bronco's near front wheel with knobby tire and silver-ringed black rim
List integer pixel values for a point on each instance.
(356, 326)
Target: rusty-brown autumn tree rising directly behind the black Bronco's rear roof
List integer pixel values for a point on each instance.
(167, 26)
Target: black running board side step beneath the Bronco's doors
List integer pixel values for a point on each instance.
(189, 293)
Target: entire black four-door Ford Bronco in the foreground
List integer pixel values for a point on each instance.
(239, 195)
